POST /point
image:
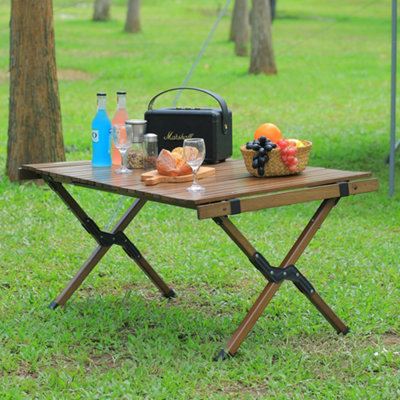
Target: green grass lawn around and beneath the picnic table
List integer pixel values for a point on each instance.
(116, 338)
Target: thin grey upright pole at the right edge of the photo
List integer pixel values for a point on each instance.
(393, 100)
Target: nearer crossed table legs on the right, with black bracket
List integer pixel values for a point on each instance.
(271, 272)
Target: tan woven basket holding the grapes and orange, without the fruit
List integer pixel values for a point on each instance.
(275, 166)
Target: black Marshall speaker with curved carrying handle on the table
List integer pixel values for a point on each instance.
(173, 125)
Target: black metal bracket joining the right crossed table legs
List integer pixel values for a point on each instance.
(278, 275)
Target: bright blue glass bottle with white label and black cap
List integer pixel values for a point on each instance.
(101, 134)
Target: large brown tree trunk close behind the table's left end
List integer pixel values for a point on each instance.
(34, 126)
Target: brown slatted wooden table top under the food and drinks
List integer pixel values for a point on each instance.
(231, 181)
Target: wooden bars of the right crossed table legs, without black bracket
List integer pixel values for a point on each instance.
(272, 287)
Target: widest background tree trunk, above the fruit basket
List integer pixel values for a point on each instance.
(262, 53)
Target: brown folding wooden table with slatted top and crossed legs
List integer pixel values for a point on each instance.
(231, 191)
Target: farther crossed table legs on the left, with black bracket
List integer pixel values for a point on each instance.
(105, 240)
